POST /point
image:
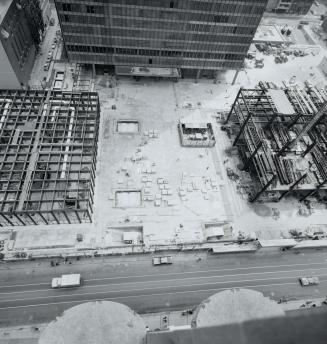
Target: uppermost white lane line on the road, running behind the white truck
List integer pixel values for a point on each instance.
(175, 273)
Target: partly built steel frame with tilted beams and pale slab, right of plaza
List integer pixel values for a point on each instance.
(282, 139)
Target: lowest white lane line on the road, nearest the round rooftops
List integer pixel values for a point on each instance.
(146, 295)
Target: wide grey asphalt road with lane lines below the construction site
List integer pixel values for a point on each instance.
(28, 297)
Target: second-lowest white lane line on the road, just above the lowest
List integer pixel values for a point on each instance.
(154, 288)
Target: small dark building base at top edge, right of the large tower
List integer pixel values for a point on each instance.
(289, 6)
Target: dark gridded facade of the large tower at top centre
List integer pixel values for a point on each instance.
(195, 36)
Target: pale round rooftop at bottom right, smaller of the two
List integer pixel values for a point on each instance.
(235, 306)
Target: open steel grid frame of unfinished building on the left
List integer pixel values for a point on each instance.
(48, 149)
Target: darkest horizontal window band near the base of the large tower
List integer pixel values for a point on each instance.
(150, 52)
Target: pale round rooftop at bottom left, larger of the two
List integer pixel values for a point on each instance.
(102, 322)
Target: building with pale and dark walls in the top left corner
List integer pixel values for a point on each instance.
(17, 48)
